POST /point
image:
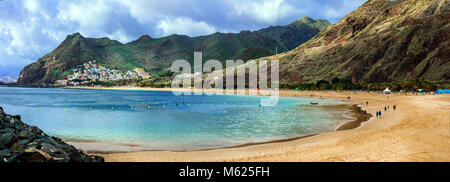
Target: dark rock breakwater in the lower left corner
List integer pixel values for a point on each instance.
(20, 142)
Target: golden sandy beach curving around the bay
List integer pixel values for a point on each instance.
(419, 130)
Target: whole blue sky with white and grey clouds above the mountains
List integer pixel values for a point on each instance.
(29, 29)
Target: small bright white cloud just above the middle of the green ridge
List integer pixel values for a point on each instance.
(184, 26)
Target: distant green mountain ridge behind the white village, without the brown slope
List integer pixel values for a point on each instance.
(157, 54)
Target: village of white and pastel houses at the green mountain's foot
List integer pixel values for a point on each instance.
(90, 73)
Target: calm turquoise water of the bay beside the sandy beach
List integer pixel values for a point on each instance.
(158, 120)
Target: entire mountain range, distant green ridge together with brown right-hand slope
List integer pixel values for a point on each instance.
(381, 41)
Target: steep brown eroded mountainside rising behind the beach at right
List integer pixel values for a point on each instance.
(381, 41)
